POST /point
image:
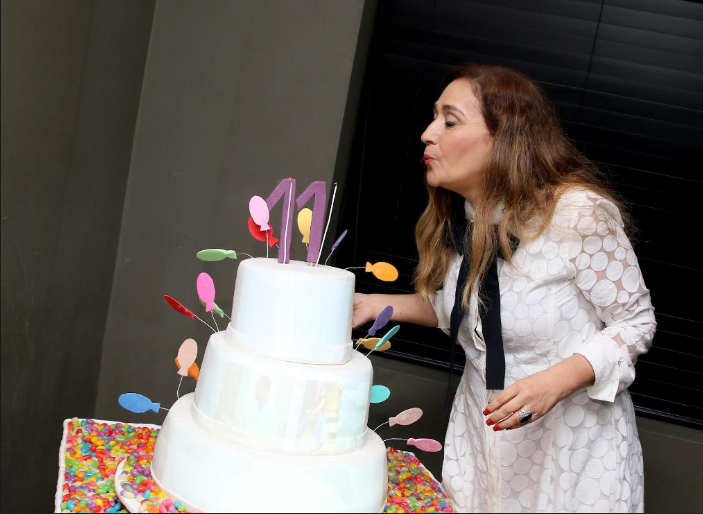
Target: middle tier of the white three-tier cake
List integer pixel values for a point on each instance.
(273, 405)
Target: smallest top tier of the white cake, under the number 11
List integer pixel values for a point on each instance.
(293, 312)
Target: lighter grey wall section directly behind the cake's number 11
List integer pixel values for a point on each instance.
(236, 96)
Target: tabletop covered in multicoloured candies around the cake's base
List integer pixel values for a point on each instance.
(91, 451)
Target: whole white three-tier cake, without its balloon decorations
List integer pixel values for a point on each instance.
(281, 406)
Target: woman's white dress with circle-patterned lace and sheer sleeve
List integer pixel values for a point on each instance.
(577, 288)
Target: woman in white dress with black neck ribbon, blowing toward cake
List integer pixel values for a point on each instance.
(542, 419)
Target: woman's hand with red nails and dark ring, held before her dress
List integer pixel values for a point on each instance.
(538, 393)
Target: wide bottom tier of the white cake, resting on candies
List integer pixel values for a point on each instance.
(209, 474)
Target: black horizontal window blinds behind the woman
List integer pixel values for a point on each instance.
(626, 78)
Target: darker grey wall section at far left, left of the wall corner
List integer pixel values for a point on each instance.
(71, 82)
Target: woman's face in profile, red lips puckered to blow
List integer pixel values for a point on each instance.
(457, 142)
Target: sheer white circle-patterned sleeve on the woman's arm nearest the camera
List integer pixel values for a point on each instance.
(607, 273)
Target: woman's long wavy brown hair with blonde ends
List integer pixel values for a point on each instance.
(530, 164)
